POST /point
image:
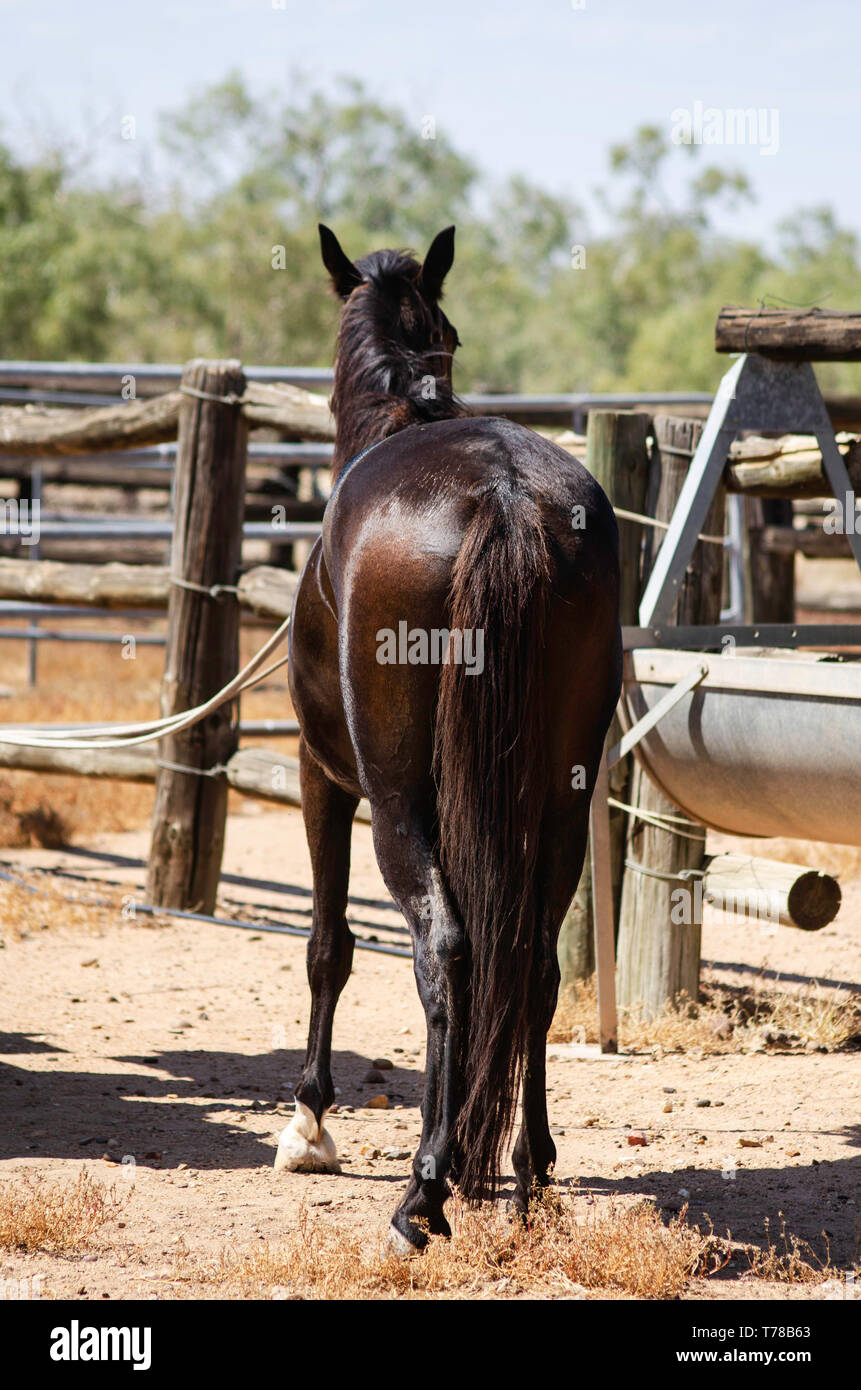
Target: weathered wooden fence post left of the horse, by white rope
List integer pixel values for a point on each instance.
(202, 653)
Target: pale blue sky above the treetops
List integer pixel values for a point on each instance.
(540, 87)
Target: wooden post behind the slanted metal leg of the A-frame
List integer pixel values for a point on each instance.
(659, 947)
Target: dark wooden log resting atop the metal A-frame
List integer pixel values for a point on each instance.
(791, 334)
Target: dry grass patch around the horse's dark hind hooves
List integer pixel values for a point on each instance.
(567, 1250)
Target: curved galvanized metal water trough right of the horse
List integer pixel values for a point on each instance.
(766, 744)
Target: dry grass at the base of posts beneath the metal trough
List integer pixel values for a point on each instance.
(725, 1020)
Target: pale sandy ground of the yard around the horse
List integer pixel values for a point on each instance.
(163, 1058)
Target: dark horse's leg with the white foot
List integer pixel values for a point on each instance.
(307, 1146)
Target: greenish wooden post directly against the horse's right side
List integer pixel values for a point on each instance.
(618, 459)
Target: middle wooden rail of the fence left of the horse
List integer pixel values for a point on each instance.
(264, 591)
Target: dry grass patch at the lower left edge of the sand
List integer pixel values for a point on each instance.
(59, 1218)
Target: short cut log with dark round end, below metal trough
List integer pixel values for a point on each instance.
(773, 892)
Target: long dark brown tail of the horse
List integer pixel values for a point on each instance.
(490, 771)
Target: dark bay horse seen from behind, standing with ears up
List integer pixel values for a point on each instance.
(456, 658)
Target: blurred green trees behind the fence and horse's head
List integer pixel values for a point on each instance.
(225, 261)
